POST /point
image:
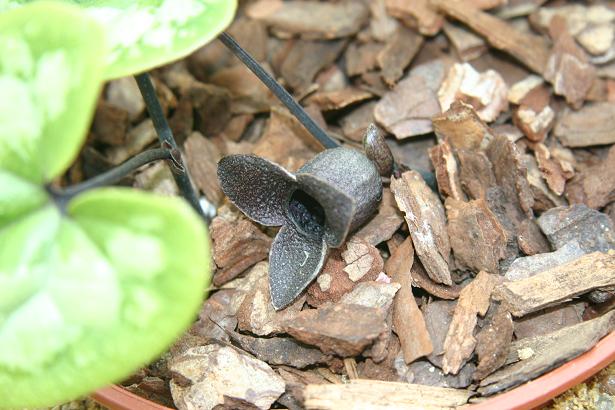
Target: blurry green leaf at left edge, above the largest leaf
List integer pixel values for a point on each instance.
(50, 74)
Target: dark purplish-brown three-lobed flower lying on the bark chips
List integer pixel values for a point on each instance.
(318, 206)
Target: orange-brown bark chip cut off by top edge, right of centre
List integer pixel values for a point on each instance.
(417, 14)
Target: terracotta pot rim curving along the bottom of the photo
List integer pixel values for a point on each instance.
(527, 396)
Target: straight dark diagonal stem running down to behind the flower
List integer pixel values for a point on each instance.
(278, 91)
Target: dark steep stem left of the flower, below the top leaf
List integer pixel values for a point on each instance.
(165, 135)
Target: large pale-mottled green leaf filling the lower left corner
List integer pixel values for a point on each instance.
(88, 297)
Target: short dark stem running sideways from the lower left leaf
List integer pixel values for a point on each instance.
(117, 173)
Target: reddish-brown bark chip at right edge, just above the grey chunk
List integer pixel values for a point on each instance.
(595, 185)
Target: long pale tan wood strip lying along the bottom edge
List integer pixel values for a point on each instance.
(374, 394)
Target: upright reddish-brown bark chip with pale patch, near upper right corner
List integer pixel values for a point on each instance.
(568, 68)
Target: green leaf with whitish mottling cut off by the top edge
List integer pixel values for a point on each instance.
(145, 34)
